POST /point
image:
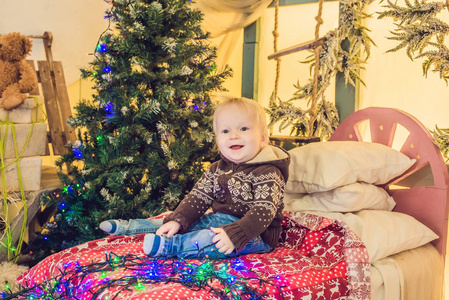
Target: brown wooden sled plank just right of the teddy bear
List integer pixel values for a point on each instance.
(51, 107)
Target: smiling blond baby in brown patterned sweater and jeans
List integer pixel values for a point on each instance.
(244, 189)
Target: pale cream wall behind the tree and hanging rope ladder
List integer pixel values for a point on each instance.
(392, 79)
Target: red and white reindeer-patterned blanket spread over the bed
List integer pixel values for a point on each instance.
(317, 258)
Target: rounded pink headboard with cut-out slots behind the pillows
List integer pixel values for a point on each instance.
(424, 199)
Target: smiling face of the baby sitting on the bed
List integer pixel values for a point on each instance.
(239, 136)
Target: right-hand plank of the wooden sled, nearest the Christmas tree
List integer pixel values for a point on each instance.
(63, 101)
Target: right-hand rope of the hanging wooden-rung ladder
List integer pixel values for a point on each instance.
(312, 110)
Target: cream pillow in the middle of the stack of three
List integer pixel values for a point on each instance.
(348, 198)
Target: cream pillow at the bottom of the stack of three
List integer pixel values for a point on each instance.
(384, 233)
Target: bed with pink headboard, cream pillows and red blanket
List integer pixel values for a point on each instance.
(362, 221)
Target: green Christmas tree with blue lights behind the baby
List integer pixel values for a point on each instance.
(146, 136)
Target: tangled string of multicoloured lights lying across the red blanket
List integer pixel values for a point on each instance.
(227, 279)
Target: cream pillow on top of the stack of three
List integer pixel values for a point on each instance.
(319, 167)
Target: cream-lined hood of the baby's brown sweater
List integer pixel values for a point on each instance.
(271, 154)
